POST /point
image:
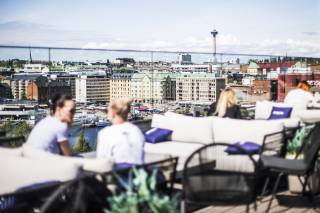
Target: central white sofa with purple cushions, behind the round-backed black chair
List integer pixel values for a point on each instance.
(190, 133)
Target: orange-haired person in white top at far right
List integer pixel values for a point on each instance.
(300, 97)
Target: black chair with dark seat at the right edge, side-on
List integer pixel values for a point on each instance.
(300, 167)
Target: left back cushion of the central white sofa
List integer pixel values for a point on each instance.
(185, 128)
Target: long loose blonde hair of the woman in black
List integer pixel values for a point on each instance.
(227, 99)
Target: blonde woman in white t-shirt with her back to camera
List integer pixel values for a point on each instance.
(122, 142)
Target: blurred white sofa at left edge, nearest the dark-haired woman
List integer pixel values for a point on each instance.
(26, 165)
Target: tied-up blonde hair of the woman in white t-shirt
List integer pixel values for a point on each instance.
(121, 107)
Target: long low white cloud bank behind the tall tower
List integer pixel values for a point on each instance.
(225, 43)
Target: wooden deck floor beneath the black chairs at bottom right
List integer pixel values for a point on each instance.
(287, 203)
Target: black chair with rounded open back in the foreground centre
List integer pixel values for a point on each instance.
(209, 180)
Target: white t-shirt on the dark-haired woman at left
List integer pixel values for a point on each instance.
(47, 134)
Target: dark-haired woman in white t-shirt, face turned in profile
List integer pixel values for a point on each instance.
(51, 133)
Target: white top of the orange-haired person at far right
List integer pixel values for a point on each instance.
(298, 98)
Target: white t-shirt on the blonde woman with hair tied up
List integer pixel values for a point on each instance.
(122, 143)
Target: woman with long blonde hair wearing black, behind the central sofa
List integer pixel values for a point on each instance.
(227, 105)
